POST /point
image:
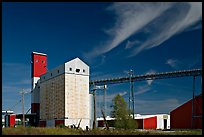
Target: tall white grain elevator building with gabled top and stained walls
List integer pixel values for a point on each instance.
(63, 95)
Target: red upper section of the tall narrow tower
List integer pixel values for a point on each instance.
(39, 65)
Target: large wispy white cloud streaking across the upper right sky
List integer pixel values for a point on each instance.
(158, 20)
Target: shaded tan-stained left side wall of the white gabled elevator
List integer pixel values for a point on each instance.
(52, 98)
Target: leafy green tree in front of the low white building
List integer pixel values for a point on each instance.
(121, 114)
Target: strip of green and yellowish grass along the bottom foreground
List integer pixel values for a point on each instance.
(68, 131)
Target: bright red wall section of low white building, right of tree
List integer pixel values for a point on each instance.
(150, 123)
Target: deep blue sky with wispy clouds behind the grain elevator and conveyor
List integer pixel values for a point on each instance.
(111, 38)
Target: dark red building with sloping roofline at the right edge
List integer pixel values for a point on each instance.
(181, 117)
